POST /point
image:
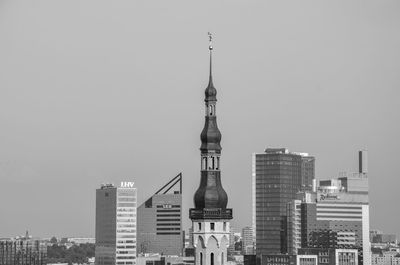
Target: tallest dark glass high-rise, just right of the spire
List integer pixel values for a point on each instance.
(278, 175)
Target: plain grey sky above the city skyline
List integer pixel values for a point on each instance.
(98, 92)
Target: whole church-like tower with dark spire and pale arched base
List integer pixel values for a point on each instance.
(210, 217)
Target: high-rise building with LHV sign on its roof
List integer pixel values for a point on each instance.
(116, 224)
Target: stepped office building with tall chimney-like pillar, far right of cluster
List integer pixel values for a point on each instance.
(338, 215)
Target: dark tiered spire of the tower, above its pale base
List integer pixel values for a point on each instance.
(210, 198)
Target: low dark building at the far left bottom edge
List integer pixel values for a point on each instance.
(23, 251)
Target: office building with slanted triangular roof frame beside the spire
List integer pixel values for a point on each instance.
(159, 223)
